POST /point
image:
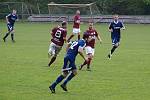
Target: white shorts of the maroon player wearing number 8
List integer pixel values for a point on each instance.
(54, 49)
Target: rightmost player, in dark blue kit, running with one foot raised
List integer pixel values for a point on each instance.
(115, 29)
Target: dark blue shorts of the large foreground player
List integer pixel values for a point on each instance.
(69, 64)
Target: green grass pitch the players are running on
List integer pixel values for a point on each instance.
(24, 75)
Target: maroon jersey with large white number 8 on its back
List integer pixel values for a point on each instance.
(58, 35)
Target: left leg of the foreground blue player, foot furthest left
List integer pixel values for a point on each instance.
(60, 77)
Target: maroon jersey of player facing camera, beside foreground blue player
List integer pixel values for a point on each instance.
(93, 34)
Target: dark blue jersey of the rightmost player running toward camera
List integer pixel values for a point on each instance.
(116, 26)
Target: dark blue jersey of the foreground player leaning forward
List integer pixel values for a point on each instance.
(73, 49)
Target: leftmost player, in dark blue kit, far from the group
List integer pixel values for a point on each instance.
(10, 19)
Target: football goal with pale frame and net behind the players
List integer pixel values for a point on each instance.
(88, 11)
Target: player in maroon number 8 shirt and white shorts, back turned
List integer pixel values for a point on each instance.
(57, 41)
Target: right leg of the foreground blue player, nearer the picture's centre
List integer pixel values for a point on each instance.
(71, 75)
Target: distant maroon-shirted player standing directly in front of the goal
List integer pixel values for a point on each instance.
(76, 26)
